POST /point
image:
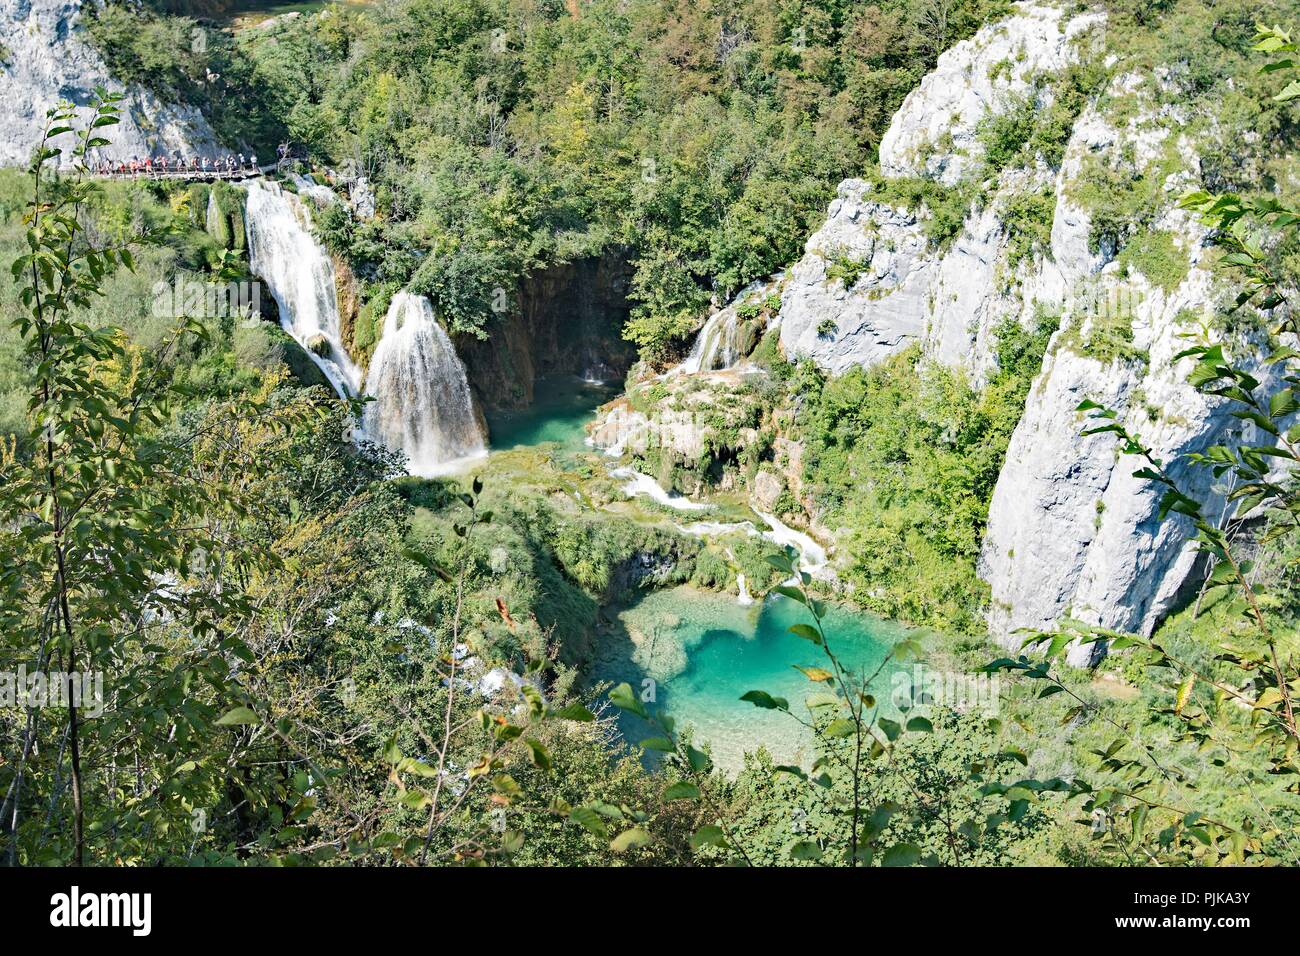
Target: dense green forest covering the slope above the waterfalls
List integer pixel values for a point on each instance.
(701, 141)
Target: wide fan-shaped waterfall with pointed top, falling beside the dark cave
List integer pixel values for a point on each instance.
(422, 397)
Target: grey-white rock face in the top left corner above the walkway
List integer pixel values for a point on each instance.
(46, 60)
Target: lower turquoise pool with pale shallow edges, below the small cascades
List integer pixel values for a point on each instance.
(704, 651)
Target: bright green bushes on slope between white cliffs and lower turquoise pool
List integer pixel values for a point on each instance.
(905, 457)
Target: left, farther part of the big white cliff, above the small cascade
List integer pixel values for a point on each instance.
(874, 279)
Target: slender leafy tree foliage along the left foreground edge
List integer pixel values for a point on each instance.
(98, 507)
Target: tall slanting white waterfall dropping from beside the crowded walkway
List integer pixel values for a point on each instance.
(301, 279)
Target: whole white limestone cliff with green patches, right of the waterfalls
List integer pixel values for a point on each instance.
(1082, 231)
